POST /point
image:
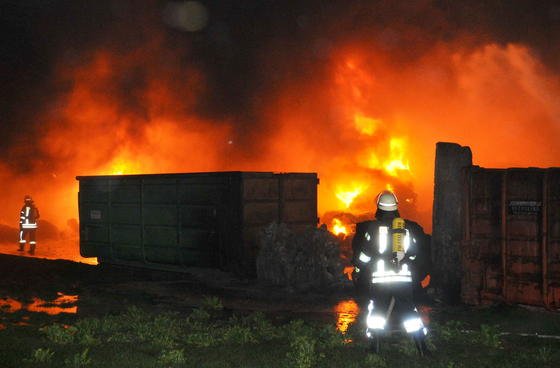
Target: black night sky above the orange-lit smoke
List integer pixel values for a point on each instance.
(39, 35)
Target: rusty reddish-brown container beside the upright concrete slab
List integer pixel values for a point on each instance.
(511, 246)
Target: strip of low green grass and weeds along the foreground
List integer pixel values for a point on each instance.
(210, 337)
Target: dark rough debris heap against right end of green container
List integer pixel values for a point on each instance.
(307, 261)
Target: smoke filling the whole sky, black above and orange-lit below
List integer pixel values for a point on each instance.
(92, 87)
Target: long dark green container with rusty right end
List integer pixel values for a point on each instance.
(174, 221)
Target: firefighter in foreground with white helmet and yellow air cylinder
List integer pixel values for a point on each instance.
(385, 252)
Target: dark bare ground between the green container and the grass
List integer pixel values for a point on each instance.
(101, 290)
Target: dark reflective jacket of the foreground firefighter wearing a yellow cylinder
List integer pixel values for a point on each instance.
(386, 253)
